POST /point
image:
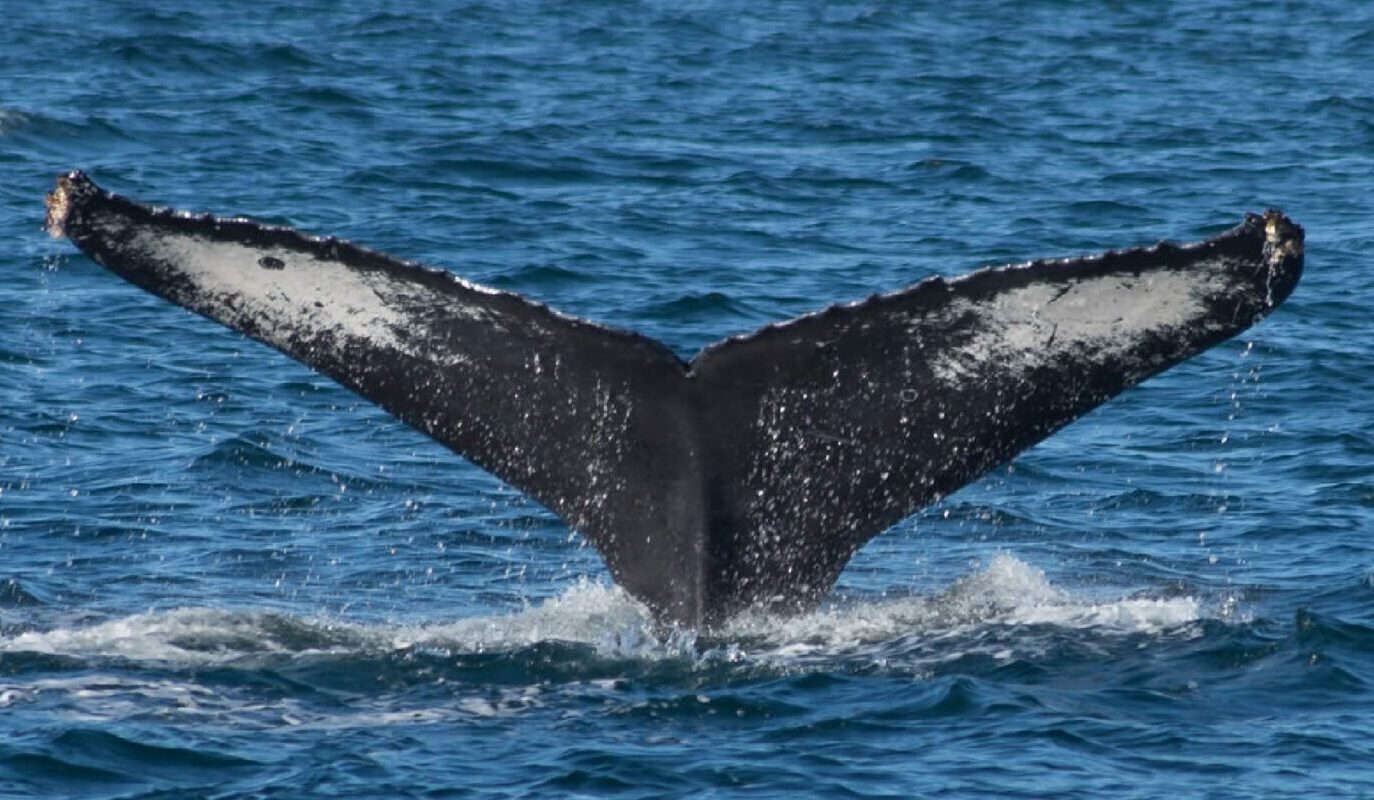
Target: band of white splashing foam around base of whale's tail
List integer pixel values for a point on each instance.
(604, 619)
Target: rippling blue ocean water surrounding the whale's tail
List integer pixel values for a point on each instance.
(225, 577)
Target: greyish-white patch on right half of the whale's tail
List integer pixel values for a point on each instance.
(1096, 318)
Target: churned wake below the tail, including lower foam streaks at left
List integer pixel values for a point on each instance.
(593, 648)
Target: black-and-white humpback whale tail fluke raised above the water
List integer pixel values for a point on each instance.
(751, 475)
